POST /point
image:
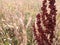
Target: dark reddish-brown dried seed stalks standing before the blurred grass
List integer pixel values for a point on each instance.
(49, 22)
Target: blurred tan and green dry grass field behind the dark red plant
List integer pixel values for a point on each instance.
(18, 14)
